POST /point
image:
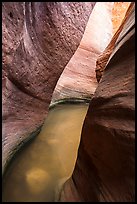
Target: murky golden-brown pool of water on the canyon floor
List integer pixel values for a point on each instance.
(41, 167)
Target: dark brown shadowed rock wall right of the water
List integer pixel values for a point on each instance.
(105, 168)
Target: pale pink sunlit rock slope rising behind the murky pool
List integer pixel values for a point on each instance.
(78, 79)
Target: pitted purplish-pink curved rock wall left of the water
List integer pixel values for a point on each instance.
(38, 38)
